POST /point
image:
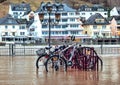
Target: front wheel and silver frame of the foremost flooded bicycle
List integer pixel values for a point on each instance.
(61, 61)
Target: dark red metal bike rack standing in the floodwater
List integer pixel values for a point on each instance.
(88, 59)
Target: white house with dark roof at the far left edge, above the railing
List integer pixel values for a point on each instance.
(12, 30)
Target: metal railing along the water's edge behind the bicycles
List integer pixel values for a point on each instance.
(30, 50)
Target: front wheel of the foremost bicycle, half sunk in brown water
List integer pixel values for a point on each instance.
(56, 63)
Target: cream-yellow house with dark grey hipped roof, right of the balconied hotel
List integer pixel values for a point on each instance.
(97, 26)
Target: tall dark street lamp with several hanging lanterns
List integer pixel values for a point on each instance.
(50, 9)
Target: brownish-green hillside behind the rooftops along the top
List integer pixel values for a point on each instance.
(4, 6)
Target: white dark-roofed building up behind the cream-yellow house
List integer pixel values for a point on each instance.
(86, 11)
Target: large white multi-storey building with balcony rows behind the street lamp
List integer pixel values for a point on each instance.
(69, 25)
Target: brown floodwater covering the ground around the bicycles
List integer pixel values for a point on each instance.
(21, 70)
